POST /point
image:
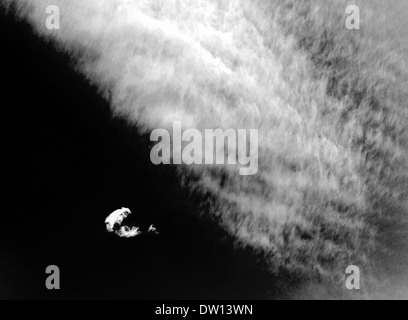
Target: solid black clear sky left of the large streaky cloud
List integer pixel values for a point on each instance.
(67, 165)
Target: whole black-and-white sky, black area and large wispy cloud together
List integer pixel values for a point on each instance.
(79, 104)
